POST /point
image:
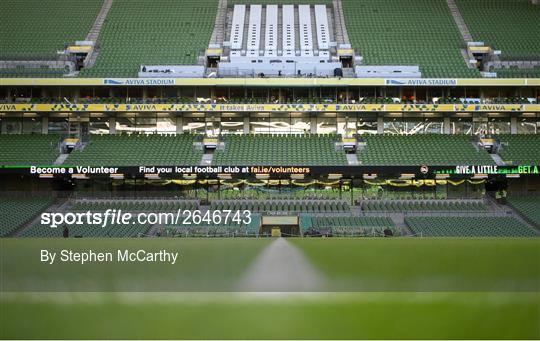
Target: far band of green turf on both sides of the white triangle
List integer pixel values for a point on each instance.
(360, 264)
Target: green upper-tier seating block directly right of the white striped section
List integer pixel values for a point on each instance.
(421, 32)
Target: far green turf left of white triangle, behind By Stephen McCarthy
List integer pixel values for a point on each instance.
(203, 265)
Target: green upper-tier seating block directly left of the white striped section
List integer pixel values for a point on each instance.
(157, 32)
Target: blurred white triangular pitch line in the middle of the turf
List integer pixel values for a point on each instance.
(281, 267)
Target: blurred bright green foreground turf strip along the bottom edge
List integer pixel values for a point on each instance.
(277, 316)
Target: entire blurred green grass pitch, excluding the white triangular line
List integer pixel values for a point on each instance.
(411, 288)
